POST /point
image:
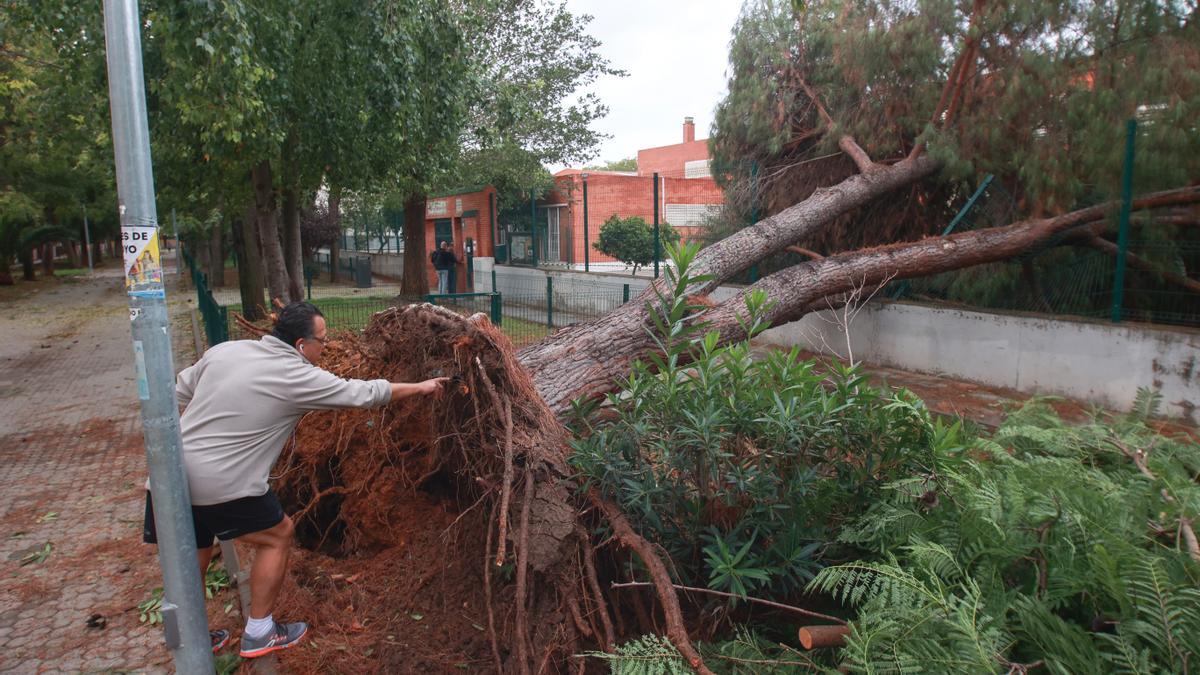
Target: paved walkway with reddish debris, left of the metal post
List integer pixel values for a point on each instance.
(71, 471)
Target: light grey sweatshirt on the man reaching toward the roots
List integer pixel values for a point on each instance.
(243, 402)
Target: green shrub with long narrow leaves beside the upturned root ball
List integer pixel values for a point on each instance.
(743, 469)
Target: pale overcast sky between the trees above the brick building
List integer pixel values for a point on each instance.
(676, 53)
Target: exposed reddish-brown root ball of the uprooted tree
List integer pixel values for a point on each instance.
(489, 441)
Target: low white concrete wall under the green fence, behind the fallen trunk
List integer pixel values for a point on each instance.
(1100, 363)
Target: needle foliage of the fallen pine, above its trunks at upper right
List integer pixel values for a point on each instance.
(1036, 93)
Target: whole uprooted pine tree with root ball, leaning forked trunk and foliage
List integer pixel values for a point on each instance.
(477, 500)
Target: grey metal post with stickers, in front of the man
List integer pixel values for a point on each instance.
(184, 618)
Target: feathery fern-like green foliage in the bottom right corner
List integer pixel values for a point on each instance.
(1046, 543)
